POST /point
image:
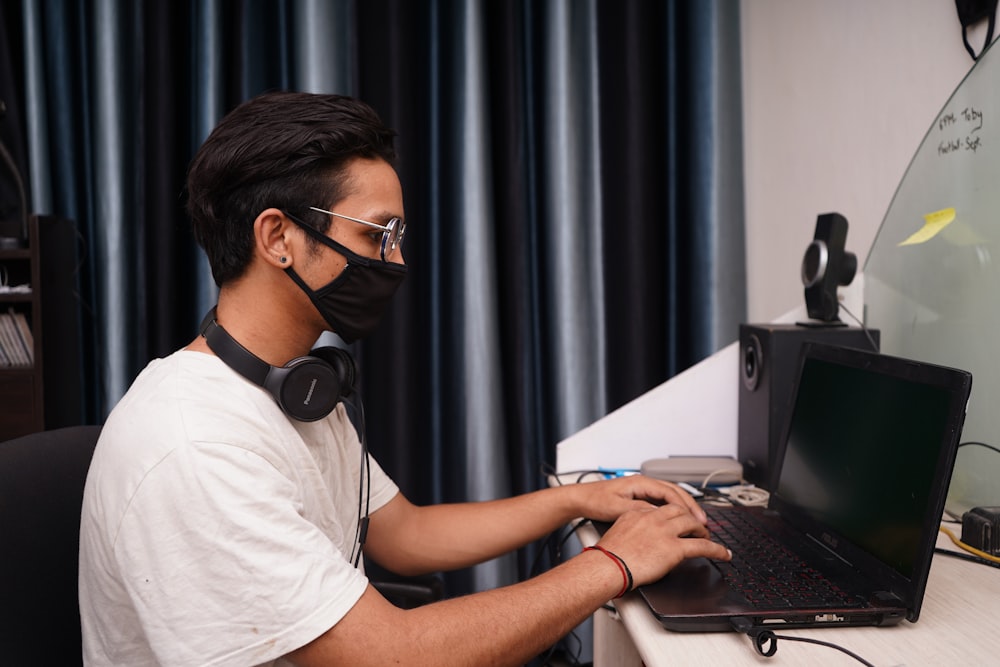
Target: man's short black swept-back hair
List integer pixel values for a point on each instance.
(283, 150)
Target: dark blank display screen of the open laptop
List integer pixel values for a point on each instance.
(862, 450)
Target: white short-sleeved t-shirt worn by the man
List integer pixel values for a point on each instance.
(216, 530)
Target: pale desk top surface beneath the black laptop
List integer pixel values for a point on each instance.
(959, 624)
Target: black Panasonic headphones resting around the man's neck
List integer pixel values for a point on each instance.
(306, 388)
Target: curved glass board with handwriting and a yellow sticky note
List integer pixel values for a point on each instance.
(931, 283)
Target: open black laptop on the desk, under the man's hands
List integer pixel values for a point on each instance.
(868, 453)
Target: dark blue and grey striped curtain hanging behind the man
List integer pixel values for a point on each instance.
(572, 171)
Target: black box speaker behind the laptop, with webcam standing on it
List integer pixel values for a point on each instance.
(769, 359)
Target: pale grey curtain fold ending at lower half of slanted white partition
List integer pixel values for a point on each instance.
(570, 214)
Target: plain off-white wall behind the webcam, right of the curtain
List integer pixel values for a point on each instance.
(837, 96)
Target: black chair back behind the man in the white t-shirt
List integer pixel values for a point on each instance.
(41, 492)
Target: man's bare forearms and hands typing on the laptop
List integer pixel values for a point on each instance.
(657, 527)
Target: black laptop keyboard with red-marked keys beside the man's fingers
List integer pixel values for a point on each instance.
(765, 572)
